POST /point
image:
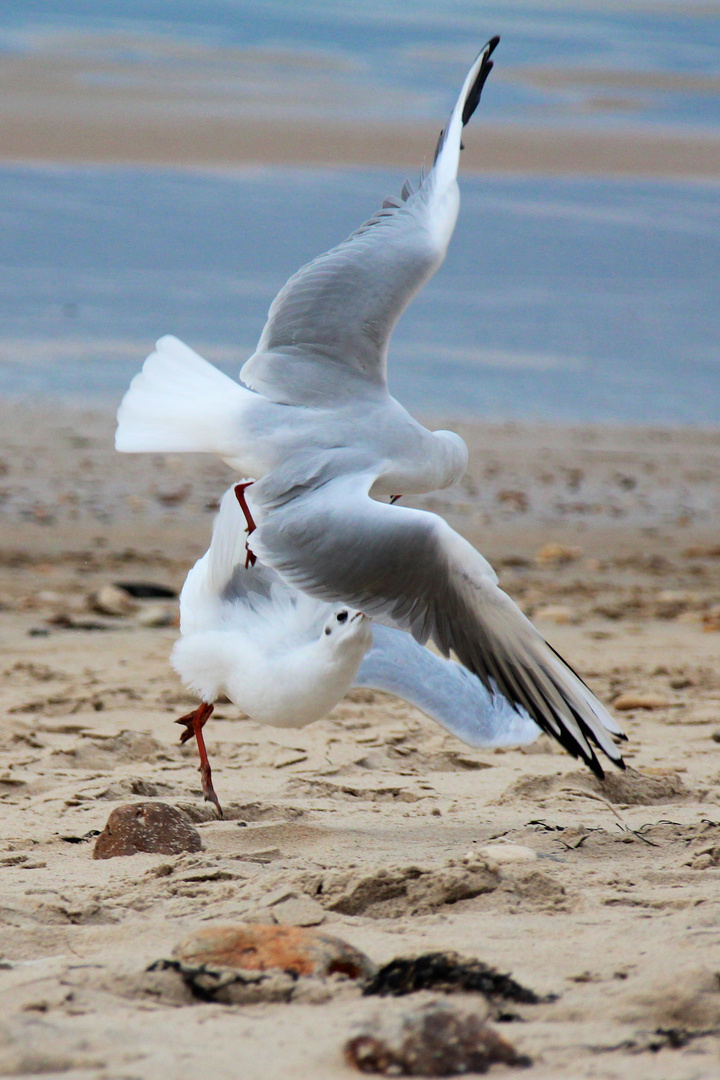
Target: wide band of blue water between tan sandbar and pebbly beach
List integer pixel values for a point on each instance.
(560, 299)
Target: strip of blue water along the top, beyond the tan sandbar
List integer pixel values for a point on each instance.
(399, 59)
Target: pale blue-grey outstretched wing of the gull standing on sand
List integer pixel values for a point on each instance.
(444, 691)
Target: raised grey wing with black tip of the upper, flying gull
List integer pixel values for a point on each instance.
(329, 329)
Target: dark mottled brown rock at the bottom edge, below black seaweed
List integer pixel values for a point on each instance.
(437, 1039)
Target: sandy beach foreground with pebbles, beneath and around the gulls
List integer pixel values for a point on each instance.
(608, 538)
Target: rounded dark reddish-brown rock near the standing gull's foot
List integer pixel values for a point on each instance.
(155, 828)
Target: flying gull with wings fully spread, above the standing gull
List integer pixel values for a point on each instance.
(315, 422)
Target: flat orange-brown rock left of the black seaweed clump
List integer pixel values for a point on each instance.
(292, 950)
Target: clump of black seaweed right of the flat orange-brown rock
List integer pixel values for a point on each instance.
(450, 974)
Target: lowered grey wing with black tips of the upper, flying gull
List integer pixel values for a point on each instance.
(412, 569)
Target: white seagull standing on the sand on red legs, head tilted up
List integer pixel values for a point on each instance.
(287, 659)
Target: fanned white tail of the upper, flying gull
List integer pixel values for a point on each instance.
(181, 403)
